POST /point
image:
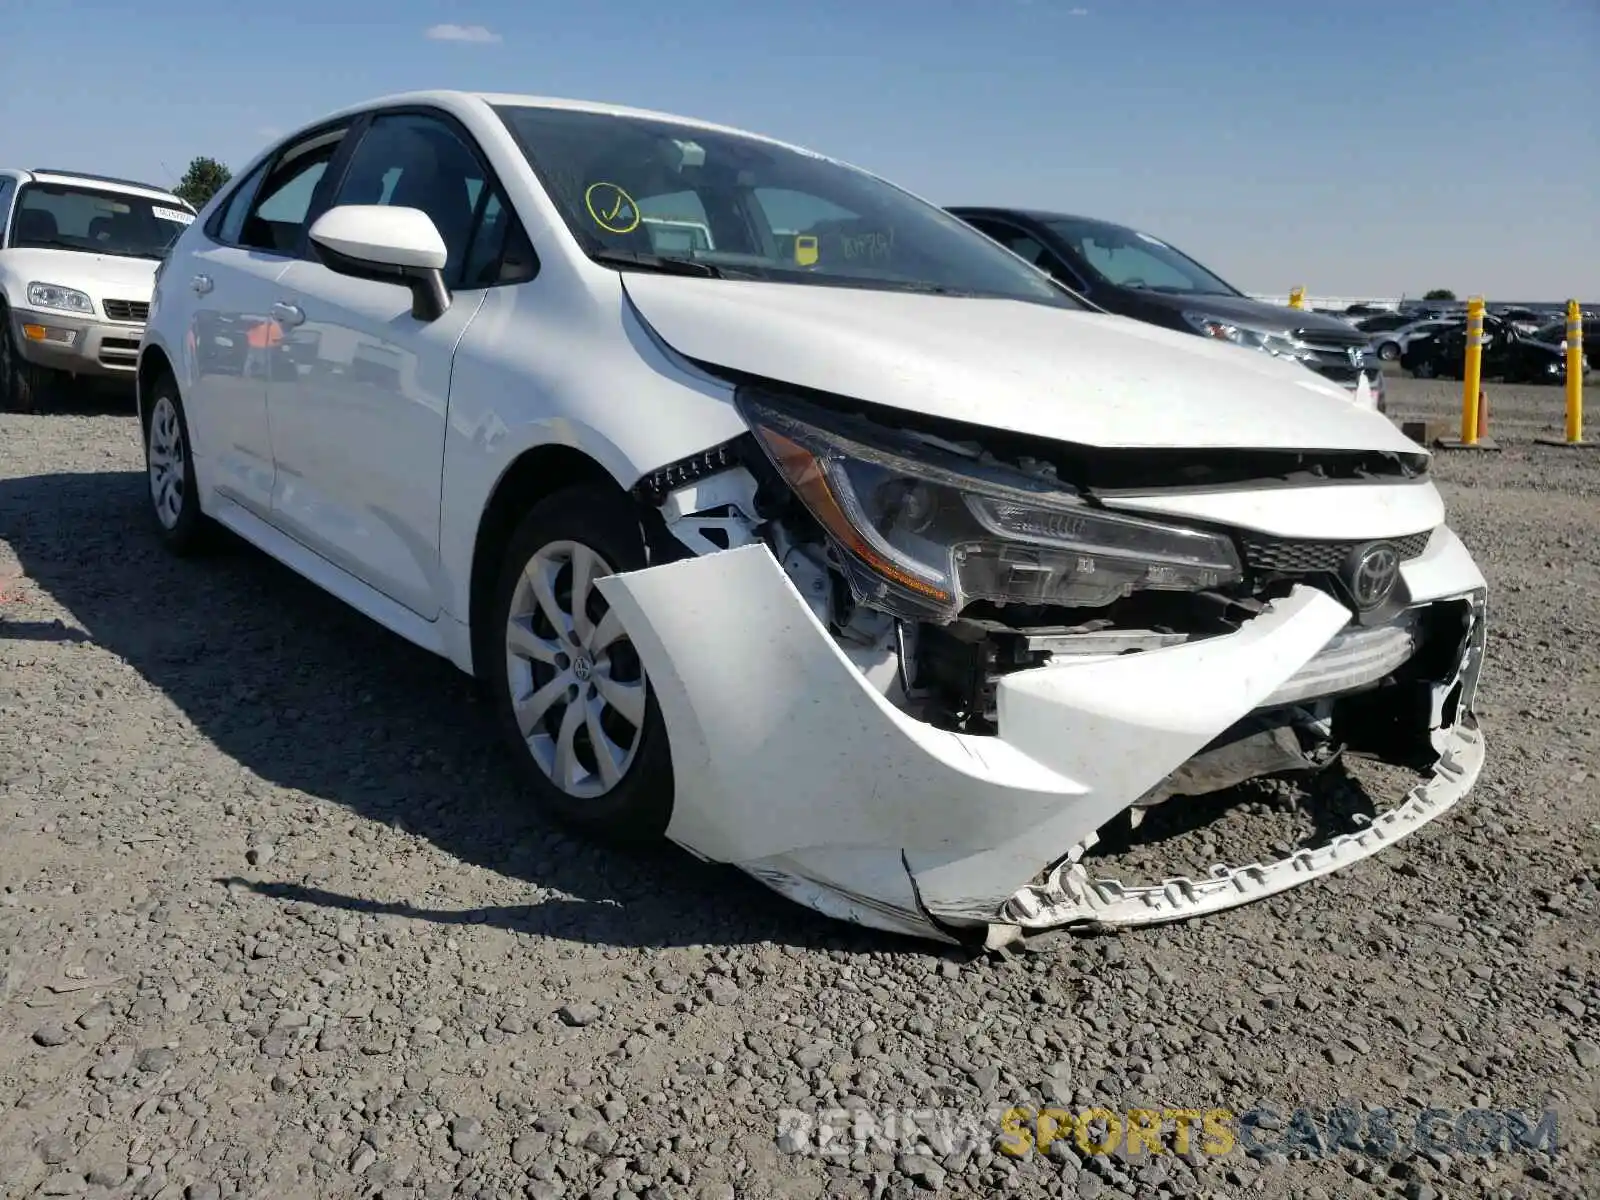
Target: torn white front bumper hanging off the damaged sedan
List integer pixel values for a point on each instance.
(793, 767)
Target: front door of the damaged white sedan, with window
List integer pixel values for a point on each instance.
(359, 426)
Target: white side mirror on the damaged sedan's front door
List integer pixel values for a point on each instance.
(388, 246)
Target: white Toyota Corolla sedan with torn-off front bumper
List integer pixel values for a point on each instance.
(791, 519)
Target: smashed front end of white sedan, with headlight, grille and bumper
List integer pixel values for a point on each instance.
(913, 674)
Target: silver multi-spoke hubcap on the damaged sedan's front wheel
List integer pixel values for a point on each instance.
(577, 684)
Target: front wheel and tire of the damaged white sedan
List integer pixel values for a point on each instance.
(633, 802)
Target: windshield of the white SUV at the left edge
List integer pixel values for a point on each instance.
(71, 217)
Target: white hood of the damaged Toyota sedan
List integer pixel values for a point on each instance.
(1073, 377)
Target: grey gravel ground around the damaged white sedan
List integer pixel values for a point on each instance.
(273, 924)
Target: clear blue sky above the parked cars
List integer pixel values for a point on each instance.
(1358, 148)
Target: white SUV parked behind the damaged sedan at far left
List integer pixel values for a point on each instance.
(78, 266)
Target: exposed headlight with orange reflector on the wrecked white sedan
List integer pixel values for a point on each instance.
(922, 535)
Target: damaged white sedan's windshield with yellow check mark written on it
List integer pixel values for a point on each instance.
(657, 194)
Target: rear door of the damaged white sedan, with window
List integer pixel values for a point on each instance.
(236, 342)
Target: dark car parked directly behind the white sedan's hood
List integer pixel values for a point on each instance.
(1140, 276)
